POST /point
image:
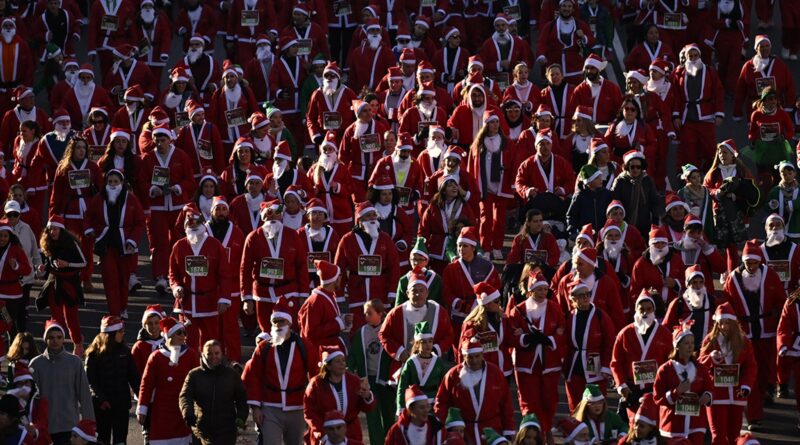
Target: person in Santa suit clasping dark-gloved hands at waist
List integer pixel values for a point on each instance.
(538, 328)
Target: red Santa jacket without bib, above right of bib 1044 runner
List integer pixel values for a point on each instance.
(771, 300)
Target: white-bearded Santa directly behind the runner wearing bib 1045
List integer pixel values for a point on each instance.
(660, 268)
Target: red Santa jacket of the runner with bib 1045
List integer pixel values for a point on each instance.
(630, 347)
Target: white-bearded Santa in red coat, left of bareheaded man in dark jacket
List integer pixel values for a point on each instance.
(162, 381)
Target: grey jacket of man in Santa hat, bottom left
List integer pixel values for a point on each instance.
(61, 378)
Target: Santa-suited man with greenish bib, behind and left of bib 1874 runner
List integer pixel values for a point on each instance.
(166, 174)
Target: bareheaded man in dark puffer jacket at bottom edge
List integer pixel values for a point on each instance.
(213, 400)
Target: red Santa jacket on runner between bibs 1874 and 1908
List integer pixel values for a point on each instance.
(287, 276)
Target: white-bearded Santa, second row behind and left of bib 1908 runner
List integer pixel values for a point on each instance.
(333, 184)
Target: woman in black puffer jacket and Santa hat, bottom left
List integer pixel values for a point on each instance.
(112, 375)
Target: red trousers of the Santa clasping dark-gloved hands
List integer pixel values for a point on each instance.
(538, 394)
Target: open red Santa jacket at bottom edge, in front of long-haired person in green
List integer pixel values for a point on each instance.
(321, 397)
